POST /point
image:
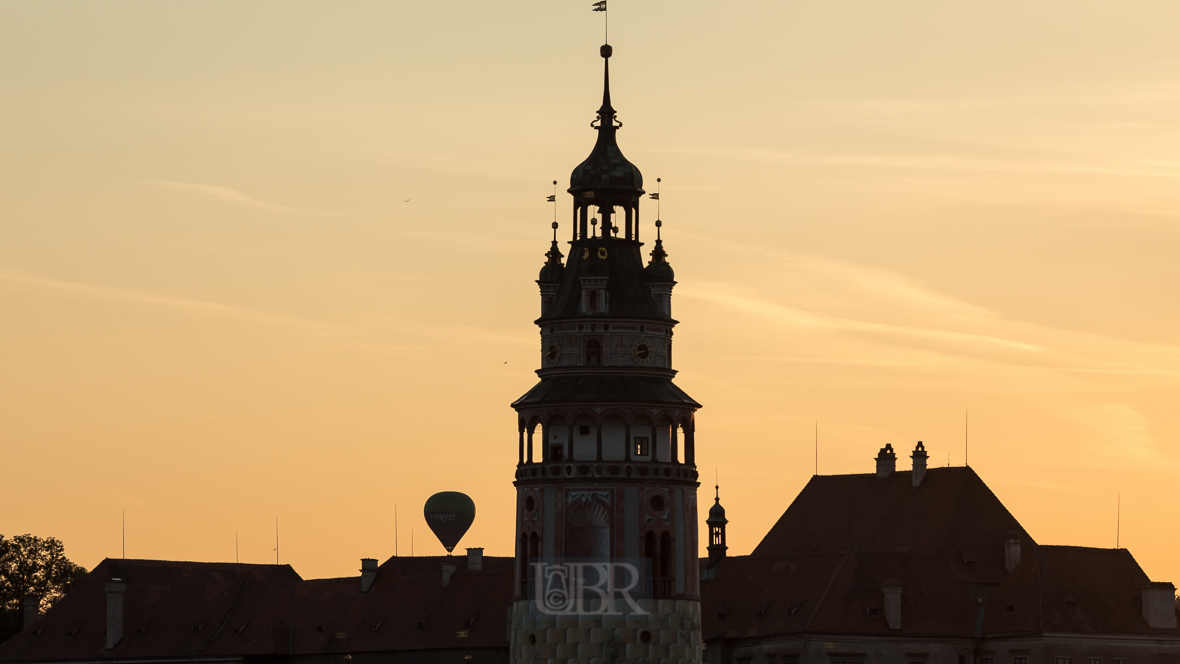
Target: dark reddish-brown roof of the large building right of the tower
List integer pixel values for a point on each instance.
(823, 567)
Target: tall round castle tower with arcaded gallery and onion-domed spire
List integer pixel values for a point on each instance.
(607, 548)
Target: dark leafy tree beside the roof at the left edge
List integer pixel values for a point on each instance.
(32, 566)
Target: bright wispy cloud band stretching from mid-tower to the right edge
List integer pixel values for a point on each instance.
(851, 314)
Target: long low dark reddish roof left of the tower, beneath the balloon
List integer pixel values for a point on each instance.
(217, 610)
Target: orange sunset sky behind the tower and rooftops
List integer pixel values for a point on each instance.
(277, 259)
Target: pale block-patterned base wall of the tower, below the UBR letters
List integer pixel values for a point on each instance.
(668, 632)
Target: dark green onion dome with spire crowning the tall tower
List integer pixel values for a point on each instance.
(606, 175)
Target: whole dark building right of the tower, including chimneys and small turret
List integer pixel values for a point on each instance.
(927, 567)
